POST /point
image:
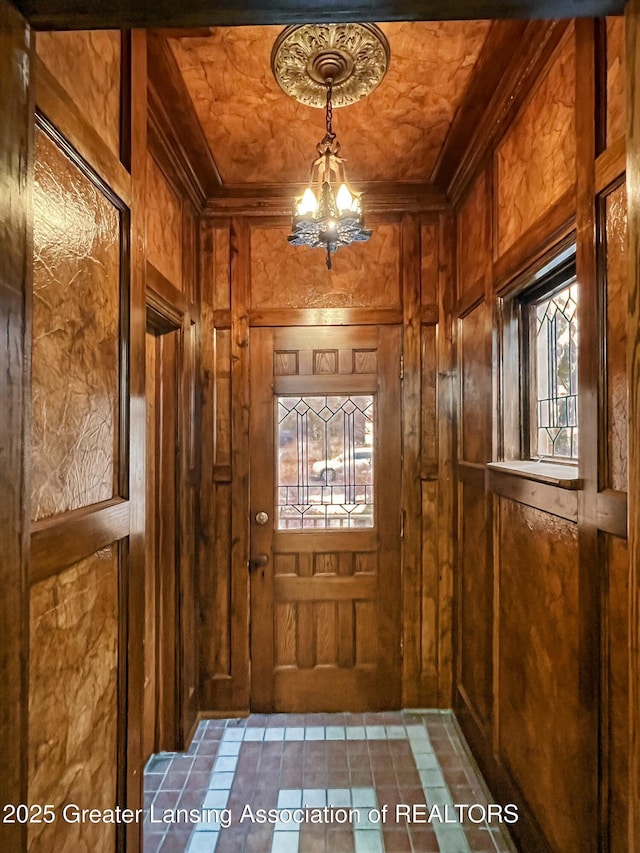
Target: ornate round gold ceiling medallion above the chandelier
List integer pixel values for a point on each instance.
(354, 56)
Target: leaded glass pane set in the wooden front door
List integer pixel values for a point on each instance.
(325, 461)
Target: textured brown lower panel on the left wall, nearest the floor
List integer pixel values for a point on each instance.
(73, 707)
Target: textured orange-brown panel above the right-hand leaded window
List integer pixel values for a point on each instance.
(536, 160)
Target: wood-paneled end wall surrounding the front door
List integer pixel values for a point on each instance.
(252, 277)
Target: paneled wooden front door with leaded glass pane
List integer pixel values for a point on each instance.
(325, 518)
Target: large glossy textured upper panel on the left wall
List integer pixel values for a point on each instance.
(76, 337)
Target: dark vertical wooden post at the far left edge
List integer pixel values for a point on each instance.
(16, 186)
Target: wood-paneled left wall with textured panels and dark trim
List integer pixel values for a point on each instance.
(77, 480)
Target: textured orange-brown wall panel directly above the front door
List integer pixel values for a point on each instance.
(284, 276)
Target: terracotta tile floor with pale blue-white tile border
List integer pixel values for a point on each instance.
(337, 783)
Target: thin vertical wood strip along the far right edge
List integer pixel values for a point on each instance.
(632, 28)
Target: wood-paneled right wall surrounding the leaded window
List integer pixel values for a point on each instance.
(542, 633)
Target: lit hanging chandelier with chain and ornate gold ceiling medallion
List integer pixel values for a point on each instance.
(319, 65)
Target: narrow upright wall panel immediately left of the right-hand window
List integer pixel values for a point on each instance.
(476, 386)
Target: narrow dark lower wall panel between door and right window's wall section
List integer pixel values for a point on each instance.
(475, 600)
